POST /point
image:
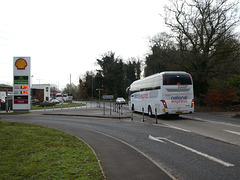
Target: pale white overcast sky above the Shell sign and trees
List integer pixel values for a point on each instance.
(65, 37)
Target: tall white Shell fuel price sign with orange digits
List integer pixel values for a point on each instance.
(21, 83)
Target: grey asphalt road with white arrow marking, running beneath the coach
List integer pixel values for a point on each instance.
(190, 147)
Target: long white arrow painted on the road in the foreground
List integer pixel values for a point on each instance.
(160, 139)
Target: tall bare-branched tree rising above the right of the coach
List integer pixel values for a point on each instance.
(204, 31)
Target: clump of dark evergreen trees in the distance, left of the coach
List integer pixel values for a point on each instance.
(113, 77)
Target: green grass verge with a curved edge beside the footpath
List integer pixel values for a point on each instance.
(34, 152)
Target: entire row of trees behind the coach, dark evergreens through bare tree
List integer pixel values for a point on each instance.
(202, 40)
